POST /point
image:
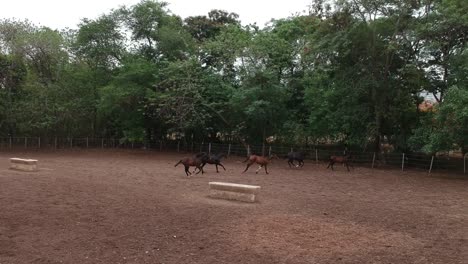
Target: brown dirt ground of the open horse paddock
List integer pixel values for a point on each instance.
(135, 207)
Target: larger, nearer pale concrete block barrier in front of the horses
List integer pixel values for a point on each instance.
(234, 191)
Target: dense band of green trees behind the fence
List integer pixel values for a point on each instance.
(352, 72)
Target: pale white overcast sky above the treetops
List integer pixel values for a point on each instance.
(59, 14)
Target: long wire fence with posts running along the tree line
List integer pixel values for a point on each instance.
(315, 153)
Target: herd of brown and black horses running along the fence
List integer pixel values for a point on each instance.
(199, 161)
